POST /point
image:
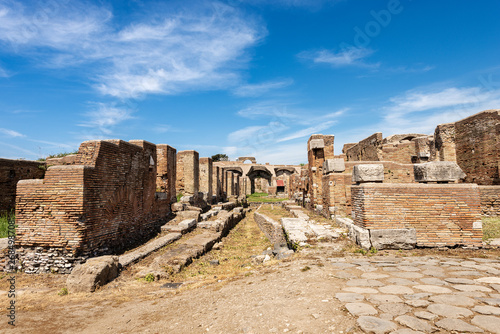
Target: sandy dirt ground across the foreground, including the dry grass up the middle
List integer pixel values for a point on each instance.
(295, 295)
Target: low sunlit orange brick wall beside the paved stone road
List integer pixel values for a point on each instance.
(442, 214)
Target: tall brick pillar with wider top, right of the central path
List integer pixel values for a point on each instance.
(319, 149)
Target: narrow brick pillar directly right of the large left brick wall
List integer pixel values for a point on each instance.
(166, 171)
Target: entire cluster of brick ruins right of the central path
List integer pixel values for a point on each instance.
(438, 186)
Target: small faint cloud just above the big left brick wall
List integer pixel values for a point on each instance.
(104, 116)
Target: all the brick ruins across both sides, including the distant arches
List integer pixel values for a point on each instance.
(402, 191)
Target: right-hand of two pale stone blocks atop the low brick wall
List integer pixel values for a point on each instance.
(438, 171)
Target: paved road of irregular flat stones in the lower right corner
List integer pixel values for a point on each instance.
(421, 294)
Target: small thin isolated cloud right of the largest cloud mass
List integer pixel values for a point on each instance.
(347, 57)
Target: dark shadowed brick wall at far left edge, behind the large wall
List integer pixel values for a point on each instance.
(11, 171)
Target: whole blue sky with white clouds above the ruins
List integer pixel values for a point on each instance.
(245, 78)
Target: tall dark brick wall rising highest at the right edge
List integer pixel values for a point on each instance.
(477, 142)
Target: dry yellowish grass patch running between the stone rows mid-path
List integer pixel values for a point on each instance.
(235, 256)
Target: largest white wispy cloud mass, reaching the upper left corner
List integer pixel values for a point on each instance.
(165, 52)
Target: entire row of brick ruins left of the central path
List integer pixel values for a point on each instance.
(109, 197)
